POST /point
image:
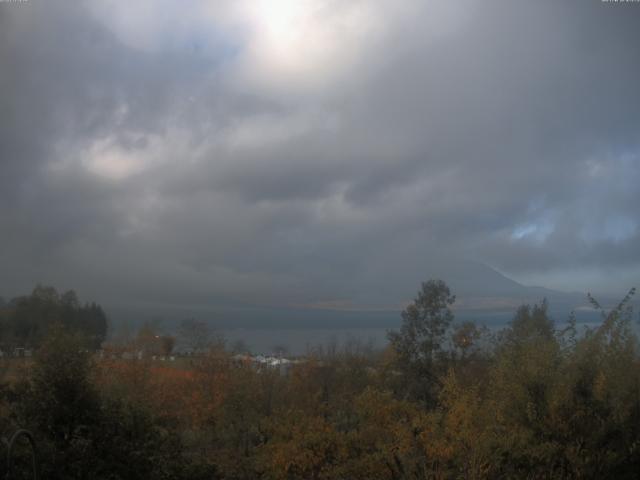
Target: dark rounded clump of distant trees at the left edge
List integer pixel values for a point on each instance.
(26, 320)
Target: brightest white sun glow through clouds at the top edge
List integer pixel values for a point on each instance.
(288, 43)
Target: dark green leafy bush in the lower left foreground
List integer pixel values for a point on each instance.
(81, 433)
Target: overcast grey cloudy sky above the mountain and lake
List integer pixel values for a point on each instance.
(316, 152)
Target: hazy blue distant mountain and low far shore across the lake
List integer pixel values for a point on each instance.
(482, 294)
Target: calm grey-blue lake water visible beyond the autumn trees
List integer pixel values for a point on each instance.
(299, 331)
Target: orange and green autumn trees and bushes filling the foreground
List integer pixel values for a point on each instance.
(444, 400)
